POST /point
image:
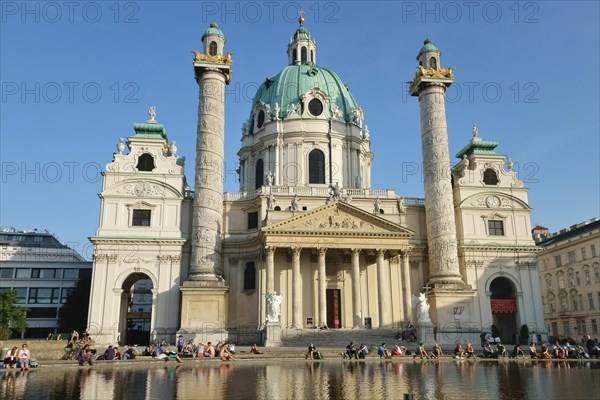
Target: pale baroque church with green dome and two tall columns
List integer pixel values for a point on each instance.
(306, 227)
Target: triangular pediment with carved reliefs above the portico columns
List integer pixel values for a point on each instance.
(338, 218)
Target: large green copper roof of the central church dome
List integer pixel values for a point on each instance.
(293, 81)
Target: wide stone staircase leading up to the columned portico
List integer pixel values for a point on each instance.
(339, 338)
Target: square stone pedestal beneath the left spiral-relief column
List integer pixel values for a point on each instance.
(203, 313)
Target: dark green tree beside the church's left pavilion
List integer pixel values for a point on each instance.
(73, 314)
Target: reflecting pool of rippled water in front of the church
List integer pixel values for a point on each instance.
(295, 379)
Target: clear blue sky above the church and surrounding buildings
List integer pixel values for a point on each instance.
(76, 76)
